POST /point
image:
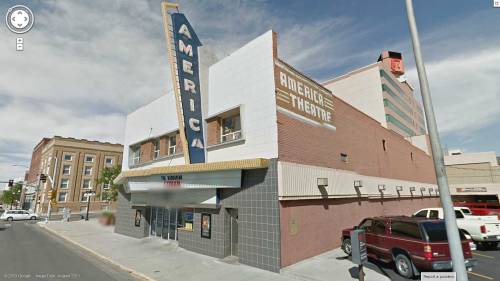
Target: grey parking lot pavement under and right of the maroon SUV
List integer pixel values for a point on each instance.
(488, 267)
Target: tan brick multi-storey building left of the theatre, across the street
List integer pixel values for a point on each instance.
(75, 165)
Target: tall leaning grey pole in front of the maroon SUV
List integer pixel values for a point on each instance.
(455, 244)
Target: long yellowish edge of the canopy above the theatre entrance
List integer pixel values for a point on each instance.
(246, 164)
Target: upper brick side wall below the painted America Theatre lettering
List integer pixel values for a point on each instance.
(358, 136)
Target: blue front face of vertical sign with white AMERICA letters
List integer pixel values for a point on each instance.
(186, 45)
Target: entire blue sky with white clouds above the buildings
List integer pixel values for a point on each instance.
(87, 64)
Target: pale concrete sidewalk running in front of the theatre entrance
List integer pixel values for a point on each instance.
(157, 259)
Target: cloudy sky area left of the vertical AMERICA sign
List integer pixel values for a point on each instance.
(85, 65)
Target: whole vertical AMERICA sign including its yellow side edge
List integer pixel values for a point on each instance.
(183, 46)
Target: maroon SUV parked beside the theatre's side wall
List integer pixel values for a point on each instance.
(413, 244)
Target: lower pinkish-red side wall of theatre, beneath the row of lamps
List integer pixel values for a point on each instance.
(311, 227)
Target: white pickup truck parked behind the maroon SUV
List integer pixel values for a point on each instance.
(484, 230)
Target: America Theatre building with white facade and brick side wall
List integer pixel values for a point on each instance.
(285, 164)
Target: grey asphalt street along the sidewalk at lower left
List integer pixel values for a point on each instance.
(28, 252)
